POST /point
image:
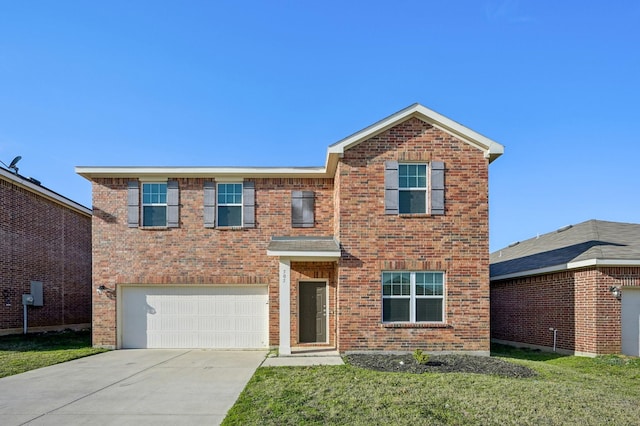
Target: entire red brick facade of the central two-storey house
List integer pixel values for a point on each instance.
(349, 205)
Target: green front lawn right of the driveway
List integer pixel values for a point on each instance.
(568, 390)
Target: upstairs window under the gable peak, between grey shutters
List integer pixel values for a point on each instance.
(413, 188)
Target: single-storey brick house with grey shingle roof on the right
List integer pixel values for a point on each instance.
(581, 283)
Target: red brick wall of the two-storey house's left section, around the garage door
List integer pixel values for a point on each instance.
(191, 253)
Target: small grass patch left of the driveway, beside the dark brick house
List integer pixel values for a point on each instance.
(20, 353)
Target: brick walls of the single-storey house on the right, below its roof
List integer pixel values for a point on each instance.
(577, 303)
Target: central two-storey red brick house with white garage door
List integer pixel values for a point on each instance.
(383, 248)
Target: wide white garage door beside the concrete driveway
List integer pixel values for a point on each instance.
(195, 317)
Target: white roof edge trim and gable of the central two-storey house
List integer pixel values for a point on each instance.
(491, 149)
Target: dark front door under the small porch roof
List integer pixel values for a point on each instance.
(313, 312)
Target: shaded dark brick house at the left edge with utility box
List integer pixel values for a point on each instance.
(45, 248)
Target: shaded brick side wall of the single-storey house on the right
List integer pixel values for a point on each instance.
(524, 309)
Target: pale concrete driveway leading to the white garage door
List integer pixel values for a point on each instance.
(130, 387)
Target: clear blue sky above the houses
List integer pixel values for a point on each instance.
(273, 83)
